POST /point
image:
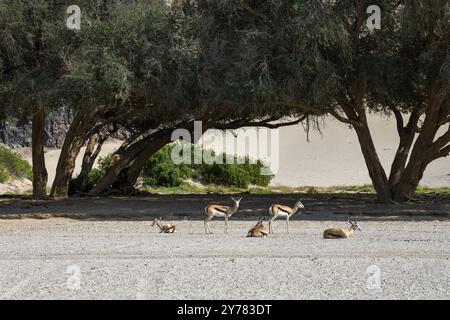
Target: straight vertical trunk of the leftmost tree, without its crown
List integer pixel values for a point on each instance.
(40, 176)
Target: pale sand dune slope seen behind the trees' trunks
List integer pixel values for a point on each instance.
(334, 157)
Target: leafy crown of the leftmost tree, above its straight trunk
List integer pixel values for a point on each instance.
(32, 38)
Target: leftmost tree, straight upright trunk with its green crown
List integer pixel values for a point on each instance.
(30, 65)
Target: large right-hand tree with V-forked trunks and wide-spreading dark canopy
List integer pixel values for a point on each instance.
(320, 56)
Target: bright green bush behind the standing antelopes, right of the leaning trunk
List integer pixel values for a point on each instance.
(160, 171)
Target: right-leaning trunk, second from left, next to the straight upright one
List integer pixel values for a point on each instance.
(75, 138)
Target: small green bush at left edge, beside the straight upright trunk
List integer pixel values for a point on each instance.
(12, 165)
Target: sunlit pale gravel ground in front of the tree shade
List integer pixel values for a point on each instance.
(61, 258)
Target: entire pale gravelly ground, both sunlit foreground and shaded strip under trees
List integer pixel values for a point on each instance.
(118, 255)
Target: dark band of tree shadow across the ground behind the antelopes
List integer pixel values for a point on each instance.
(187, 207)
